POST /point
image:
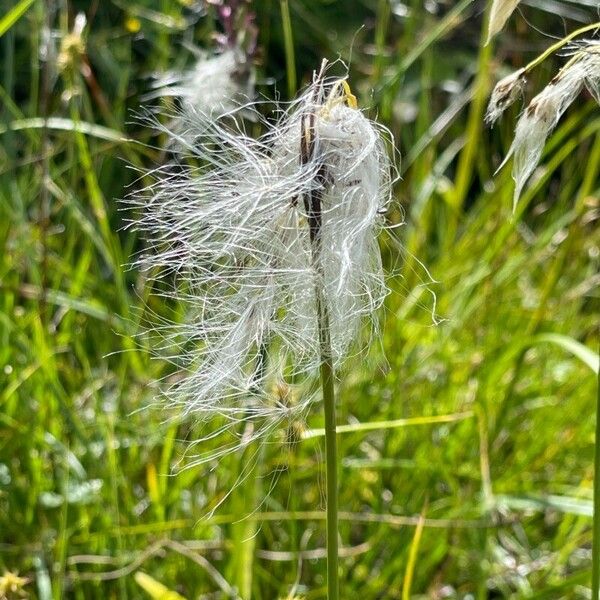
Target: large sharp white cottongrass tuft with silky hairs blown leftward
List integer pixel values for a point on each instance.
(226, 225)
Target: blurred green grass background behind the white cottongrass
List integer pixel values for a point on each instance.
(495, 502)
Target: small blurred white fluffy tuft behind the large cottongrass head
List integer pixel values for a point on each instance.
(215, 85)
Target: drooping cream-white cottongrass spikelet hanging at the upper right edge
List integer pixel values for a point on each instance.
(545, 110)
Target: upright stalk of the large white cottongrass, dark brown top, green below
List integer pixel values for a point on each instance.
(312, 204)
